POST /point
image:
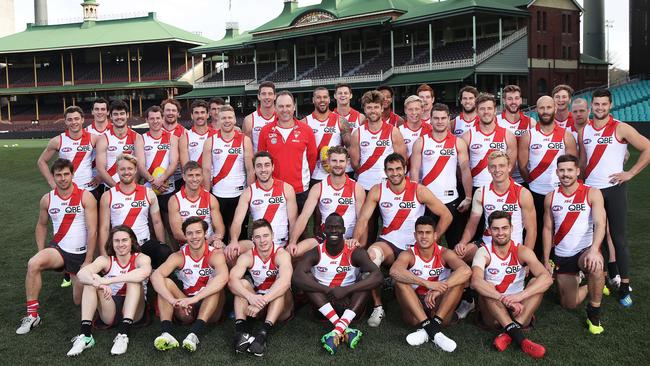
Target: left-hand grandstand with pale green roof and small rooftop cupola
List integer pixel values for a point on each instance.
(48, 67)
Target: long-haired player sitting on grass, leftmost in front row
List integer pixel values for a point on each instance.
(118, 293)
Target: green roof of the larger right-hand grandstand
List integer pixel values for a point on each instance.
(339, 15)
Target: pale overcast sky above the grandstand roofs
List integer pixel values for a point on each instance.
(191, 16)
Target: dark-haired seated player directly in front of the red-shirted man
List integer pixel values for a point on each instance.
(267, 198)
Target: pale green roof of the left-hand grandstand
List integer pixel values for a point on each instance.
(137, 30)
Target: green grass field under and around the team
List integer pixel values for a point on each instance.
(562, 332)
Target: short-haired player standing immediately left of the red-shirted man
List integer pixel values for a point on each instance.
(227, 163)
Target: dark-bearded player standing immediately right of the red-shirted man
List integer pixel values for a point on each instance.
(329, 128)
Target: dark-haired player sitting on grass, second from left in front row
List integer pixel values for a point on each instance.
(203, 272)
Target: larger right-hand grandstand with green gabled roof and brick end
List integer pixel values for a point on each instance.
(402, 43)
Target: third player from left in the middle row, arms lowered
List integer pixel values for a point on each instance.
(194, 200)
